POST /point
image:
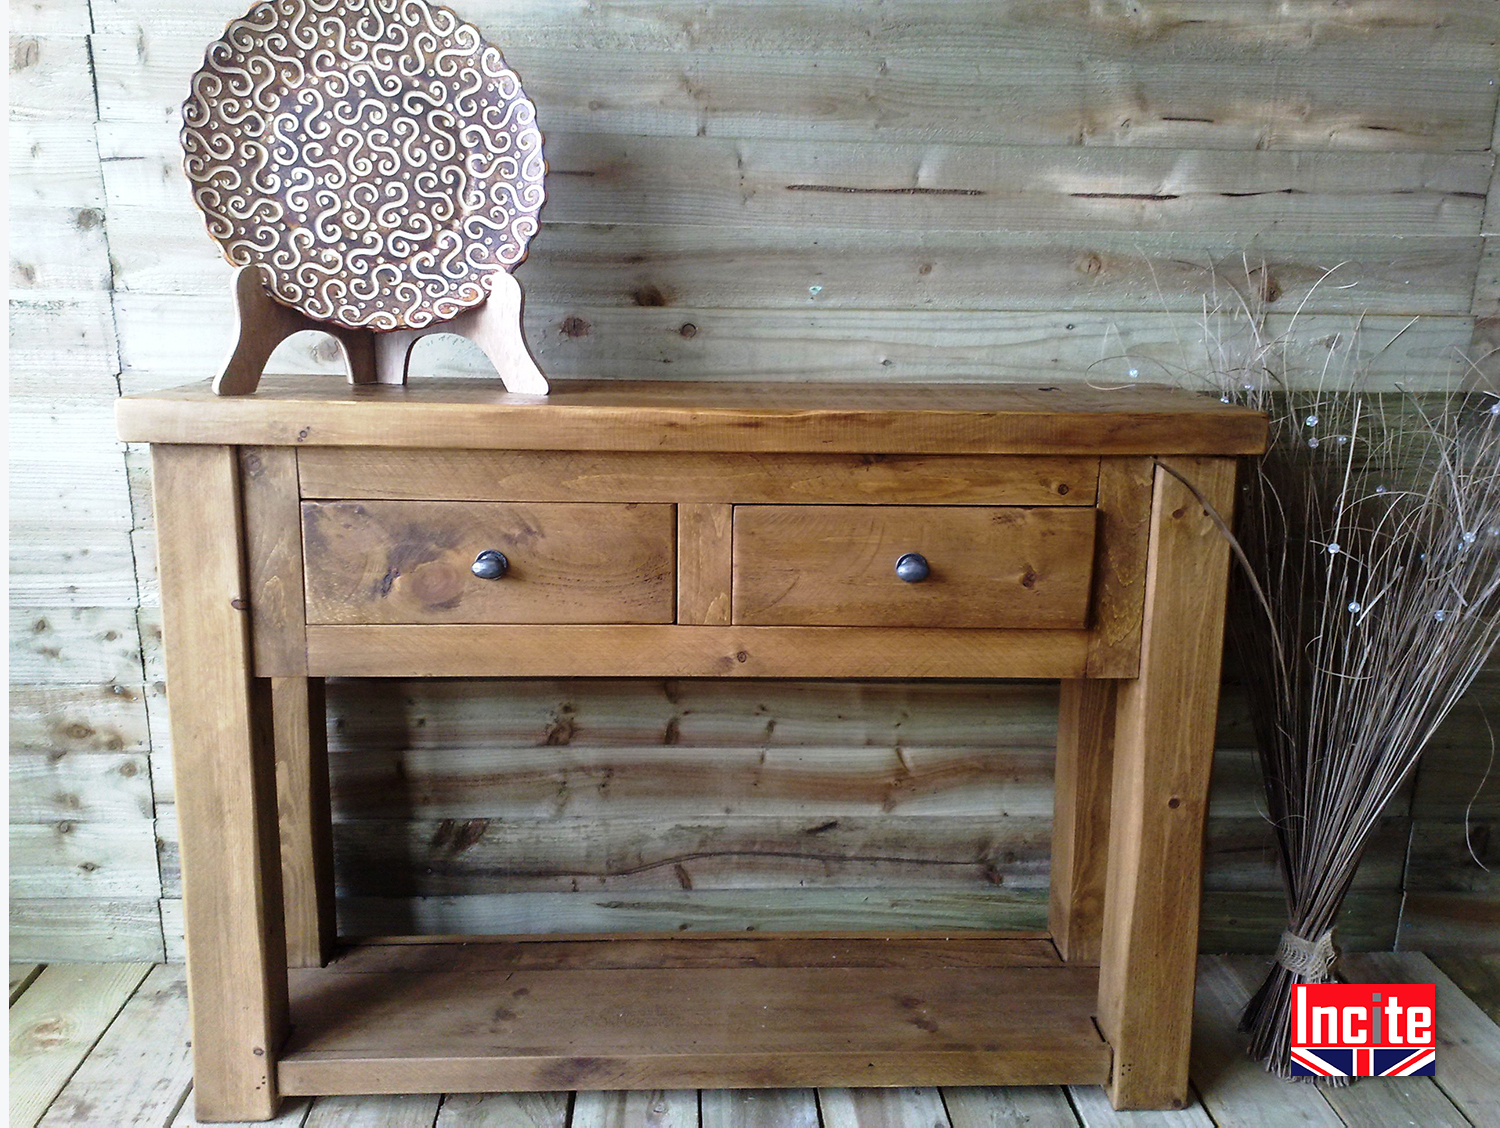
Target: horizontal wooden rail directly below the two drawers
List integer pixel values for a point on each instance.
(550, 652)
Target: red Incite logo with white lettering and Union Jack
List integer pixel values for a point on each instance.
(1364, 1030)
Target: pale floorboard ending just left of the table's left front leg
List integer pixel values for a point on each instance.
(149, 1045)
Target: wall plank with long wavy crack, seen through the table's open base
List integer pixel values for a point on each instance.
(880, 856)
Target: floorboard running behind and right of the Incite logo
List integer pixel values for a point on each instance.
(1468, 1039)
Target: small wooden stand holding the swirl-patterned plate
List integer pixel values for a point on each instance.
(374, 358)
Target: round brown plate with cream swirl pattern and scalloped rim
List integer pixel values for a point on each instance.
(376, 157)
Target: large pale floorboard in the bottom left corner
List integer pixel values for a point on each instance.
(55, 1027)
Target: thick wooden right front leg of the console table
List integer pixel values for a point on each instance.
(1163, 754)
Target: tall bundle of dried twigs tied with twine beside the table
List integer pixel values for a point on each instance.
(1369, 599)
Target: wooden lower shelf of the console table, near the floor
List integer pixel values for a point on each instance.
(691, 1013)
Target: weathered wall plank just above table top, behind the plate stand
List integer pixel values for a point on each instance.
(898, 346)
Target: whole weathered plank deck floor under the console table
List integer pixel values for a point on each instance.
(107, 1045)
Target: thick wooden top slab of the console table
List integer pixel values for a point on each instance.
(479, 415)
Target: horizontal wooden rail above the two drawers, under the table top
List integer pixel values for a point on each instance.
(691, 478)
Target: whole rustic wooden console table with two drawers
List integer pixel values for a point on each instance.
(689, 530)
